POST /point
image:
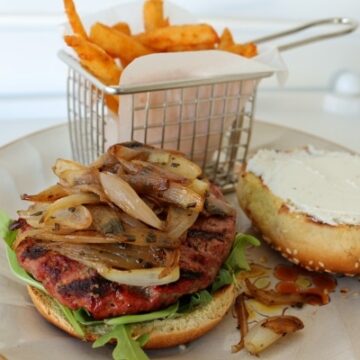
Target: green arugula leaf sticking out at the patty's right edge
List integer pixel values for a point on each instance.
(237, 259)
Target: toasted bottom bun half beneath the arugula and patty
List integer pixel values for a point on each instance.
(163, 333)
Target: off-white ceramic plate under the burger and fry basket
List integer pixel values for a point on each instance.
(331, 331)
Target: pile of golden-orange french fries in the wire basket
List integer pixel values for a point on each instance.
(98, 51)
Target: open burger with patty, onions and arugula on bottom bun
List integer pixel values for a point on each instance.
(135, 249)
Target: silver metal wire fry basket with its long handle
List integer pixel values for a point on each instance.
(210, 120)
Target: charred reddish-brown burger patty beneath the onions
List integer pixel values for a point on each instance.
(75, 285)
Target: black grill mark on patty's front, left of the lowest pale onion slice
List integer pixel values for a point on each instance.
(90, 286)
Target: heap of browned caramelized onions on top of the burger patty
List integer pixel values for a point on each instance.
(124, 215)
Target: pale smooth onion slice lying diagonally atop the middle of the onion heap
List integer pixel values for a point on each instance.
(125, 197)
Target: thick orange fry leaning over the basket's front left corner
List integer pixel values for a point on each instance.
(95, 59)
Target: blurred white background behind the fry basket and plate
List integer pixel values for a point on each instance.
(32, 78)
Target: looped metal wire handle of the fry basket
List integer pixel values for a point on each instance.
(349, 24)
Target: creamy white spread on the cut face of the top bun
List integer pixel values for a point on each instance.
(322, 184)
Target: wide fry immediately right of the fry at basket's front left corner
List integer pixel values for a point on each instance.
(117, 44)
